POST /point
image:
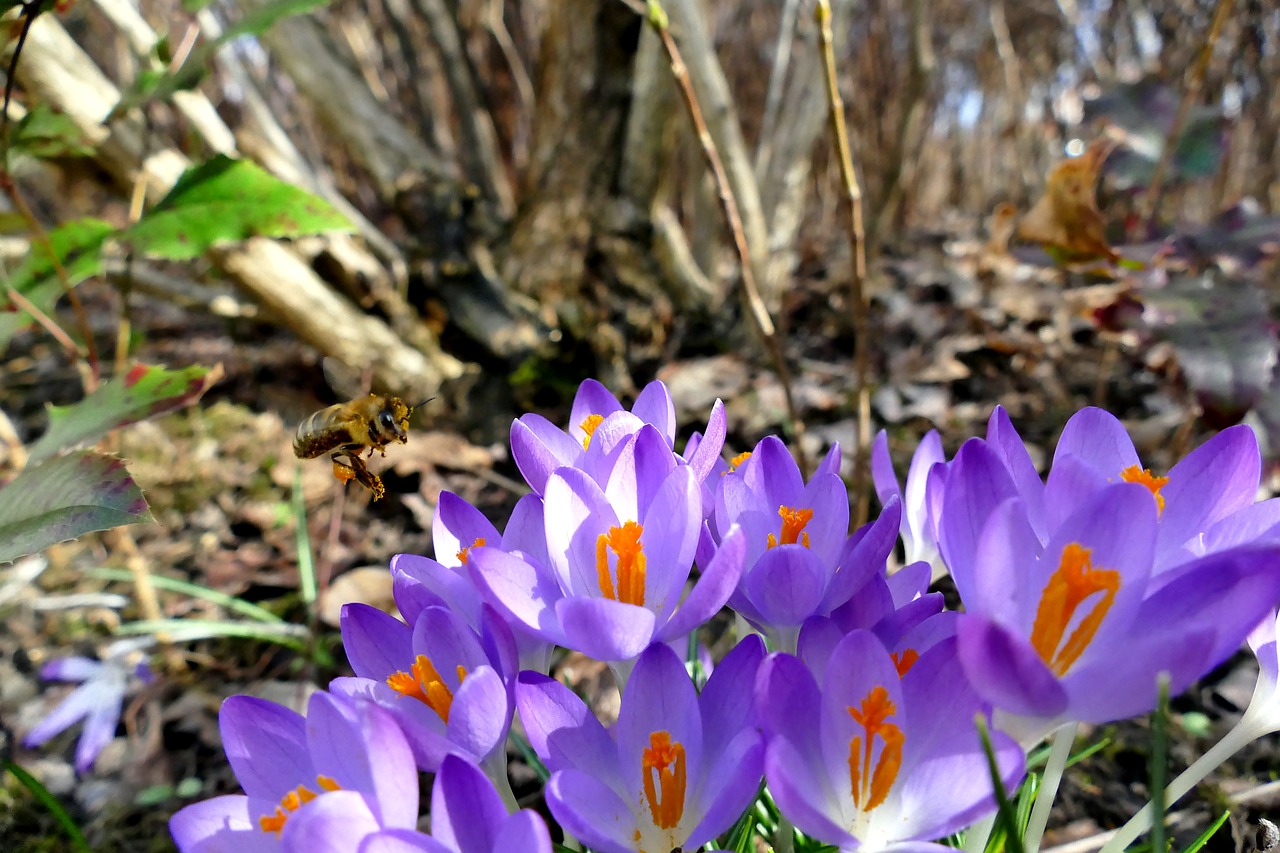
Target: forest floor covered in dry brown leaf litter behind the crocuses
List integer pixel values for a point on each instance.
(954, 337)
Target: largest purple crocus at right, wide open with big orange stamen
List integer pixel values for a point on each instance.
(1075, 623)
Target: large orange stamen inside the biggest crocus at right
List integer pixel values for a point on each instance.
(1075, 581)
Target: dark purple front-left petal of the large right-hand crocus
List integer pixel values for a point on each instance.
(1007, 670)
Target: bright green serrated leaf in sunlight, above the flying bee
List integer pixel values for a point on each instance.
(228, 200)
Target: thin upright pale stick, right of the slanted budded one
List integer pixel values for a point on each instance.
(858, 245)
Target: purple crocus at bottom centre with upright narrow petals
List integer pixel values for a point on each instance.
(679, 769)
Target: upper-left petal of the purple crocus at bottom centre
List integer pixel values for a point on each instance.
(561, 729)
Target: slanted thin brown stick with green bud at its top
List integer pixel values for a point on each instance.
(752, 300)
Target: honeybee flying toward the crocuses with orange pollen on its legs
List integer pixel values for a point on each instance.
(346, 430)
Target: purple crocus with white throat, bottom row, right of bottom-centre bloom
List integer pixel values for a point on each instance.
(876, 752)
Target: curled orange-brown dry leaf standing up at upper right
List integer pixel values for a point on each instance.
(1067, 221)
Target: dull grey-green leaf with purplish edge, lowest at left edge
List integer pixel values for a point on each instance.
(65, 499)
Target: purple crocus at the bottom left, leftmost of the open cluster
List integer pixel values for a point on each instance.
(290, 765)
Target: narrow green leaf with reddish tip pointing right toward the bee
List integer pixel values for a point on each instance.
(145, 393)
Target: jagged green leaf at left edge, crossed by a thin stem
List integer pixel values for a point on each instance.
(79, 248)
